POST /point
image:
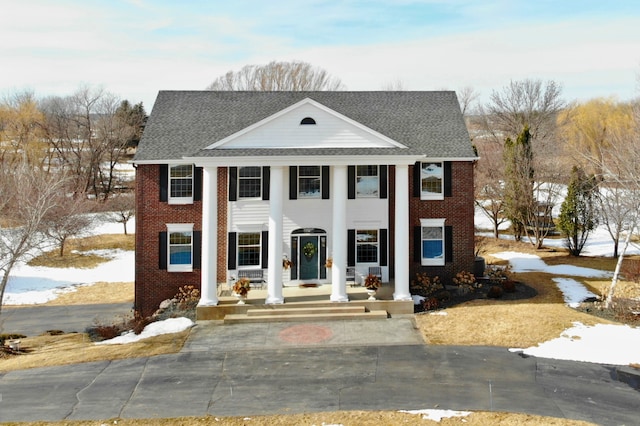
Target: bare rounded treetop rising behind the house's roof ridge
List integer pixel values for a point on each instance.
(277, 76)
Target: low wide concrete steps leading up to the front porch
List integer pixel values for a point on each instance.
(303, 317)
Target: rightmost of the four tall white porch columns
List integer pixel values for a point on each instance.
(401, 261)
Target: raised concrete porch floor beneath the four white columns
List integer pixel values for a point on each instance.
(309, 297)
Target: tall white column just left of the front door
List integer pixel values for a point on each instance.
(274, 273)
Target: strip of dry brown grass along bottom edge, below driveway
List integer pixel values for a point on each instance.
(346, 418)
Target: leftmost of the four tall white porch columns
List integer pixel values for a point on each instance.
(209, 270)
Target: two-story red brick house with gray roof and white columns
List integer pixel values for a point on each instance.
(230, 181)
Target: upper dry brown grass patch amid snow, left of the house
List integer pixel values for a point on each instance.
(75, 256)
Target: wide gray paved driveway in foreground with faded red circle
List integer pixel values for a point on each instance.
(278, 368)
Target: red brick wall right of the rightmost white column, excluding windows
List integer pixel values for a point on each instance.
(458, 210)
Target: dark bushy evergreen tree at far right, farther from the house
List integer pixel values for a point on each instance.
(577, 213)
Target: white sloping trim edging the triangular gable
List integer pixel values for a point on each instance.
(307, 101)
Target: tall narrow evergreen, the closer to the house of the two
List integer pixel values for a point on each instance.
(518, 190)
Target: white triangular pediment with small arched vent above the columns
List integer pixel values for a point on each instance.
(286, 129)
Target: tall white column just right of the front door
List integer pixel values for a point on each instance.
(339, 235)
